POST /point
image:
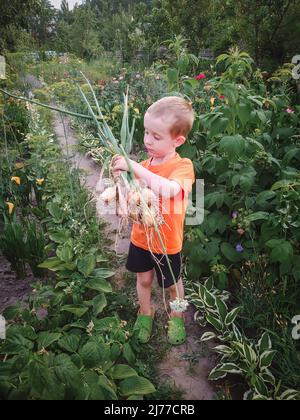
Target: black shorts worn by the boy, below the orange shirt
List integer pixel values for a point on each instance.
(139, 261)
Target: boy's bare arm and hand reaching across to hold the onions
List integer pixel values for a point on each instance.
(158, 184)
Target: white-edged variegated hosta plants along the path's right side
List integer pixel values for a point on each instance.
(240, 355)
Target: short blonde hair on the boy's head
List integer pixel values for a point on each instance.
(179, 110)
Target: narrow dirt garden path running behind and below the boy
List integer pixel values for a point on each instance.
(185, 366)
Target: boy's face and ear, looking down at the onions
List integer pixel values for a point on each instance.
(157, 138)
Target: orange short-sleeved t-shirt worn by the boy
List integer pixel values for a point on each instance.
(173, 209)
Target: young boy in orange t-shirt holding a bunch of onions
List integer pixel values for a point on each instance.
(167, 123)
